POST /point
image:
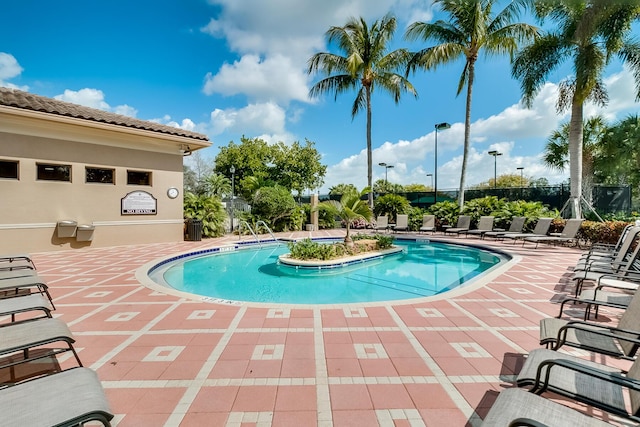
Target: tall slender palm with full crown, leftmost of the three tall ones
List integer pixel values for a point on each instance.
(365, 65)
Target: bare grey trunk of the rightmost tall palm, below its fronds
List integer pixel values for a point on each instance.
(575, 157)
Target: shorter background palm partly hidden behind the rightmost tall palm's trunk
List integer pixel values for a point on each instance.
(556, 154)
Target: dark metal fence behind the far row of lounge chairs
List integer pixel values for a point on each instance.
(605, 199)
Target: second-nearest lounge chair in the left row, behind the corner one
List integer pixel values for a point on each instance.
(26, 336)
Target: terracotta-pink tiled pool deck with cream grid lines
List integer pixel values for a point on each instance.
(174, 361)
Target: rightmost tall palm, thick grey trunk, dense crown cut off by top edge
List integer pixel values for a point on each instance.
(589, 34)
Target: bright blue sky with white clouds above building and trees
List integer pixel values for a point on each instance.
(229, 68)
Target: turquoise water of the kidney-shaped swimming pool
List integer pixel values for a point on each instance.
(423, 268)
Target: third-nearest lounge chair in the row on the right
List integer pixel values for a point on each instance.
(619, 341)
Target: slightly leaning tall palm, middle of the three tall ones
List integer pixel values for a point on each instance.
(471, 29)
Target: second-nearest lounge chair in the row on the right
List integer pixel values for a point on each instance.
(597, 385)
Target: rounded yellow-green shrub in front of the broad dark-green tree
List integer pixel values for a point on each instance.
(273, 205)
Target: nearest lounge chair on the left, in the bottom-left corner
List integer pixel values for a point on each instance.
(68, 398)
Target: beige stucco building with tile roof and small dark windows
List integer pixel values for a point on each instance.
(72, 176)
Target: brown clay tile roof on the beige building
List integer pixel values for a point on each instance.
(28, 101)
